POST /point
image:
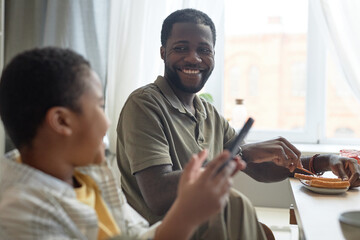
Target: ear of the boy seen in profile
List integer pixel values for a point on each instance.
(59, 119)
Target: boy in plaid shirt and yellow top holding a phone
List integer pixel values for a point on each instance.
(57, 184)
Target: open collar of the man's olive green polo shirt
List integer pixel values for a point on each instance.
(169, 94)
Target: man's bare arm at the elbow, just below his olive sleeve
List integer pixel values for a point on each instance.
(158, 186)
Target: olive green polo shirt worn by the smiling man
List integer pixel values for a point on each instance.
(155, 128)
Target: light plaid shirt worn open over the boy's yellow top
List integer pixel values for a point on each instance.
(35, 205)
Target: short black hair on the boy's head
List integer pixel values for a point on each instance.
(35, 81)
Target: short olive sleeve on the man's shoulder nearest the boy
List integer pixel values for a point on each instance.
(141, 134)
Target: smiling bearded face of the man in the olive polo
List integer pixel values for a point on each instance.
(189, 57)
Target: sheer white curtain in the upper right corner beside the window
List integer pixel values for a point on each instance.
(339, 24)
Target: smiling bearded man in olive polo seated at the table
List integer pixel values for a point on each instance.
(162, 124)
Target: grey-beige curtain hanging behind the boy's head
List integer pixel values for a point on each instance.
(81, 25)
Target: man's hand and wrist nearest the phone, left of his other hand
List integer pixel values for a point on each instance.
(279, 151)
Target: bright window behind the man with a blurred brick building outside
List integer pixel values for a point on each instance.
(277, 62)
